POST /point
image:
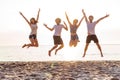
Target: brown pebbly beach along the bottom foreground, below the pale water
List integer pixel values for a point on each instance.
(60, 70)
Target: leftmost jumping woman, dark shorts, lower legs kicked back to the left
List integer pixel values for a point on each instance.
(33, 35)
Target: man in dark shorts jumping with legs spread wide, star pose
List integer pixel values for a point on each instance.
(91, 32)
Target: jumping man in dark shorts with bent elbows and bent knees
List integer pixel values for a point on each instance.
(57, 35)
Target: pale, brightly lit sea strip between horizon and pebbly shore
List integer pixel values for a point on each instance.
(16, 53)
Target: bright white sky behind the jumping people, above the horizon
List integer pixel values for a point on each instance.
(15, 31)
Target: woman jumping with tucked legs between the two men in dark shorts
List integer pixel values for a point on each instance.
(73, 31)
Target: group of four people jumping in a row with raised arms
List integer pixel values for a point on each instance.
(74, 39)
